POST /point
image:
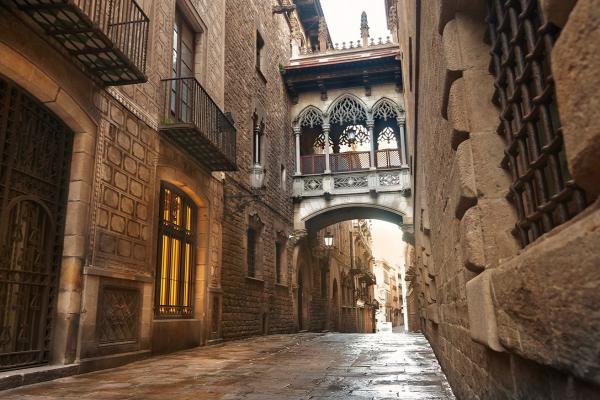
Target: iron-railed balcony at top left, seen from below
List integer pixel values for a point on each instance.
(108, 38)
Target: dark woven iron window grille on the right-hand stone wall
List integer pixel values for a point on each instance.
(542, 190)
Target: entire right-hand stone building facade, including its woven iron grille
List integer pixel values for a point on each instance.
(502, 135)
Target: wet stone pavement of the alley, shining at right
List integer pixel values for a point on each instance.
(300, 366)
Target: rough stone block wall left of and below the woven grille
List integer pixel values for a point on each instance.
(475, 307)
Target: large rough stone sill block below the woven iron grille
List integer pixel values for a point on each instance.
(547, 305)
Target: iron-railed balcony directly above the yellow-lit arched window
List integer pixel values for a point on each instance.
(193, 121)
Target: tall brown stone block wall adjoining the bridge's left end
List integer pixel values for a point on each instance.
(245, 300)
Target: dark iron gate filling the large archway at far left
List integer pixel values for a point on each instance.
(35, 154)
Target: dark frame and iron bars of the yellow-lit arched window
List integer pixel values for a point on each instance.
(187, 237)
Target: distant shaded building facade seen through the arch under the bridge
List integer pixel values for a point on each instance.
(334, 284)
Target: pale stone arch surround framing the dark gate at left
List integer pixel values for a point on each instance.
(66, 105)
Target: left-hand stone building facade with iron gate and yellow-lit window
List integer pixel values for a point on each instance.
(103, 291)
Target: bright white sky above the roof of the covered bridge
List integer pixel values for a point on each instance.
(343, 19)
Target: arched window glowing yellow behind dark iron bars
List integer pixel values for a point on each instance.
(176, 251)
